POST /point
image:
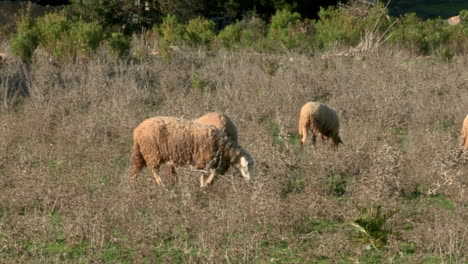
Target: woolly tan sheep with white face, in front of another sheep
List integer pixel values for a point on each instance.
(179, 141)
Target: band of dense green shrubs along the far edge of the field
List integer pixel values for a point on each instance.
(78, 31)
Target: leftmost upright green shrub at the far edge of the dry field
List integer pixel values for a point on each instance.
(25, 41)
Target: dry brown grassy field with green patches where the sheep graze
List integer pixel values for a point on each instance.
(395, 192)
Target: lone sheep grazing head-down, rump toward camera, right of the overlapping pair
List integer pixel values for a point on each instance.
(322, 121)
